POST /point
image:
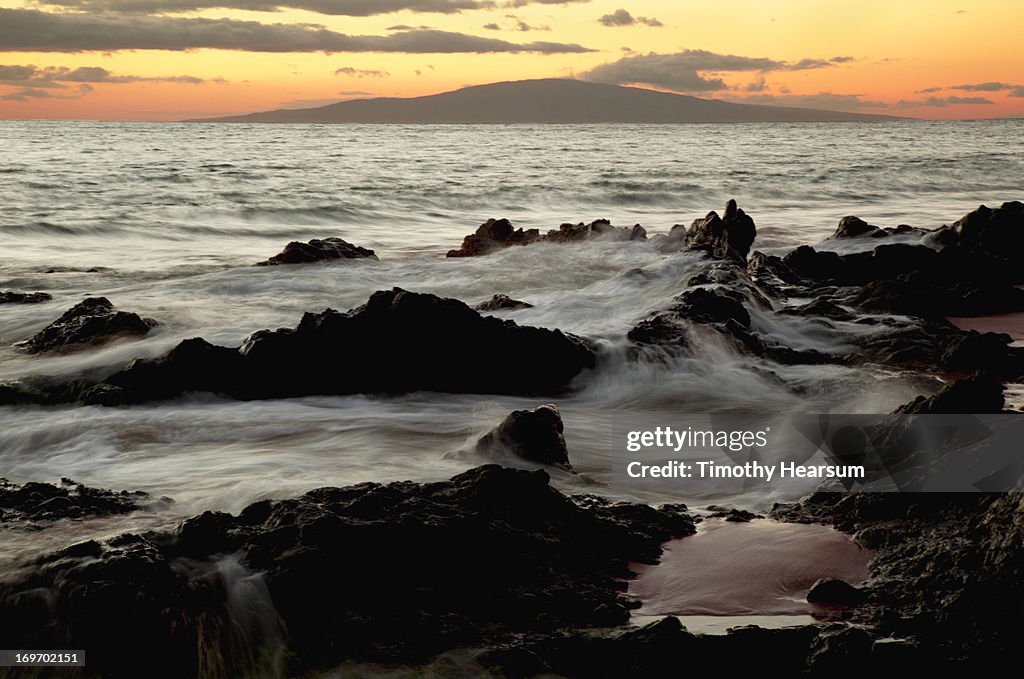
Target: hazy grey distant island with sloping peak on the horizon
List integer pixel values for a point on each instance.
(551, 101)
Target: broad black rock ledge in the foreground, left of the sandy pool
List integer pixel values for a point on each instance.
(487, 558)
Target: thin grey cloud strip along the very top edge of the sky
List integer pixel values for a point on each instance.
(333, 8)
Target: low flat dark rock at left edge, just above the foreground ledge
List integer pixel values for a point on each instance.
(33, 505)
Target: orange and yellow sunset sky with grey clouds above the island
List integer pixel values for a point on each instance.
(170, 60)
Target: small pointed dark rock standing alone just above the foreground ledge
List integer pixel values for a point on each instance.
(535, 436)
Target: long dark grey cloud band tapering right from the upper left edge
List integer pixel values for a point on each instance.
(29, 30)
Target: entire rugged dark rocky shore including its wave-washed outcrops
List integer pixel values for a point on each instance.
(496, 563)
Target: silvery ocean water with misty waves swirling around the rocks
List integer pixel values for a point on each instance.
(167, 220)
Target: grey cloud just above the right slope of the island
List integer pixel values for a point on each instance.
(685, 72)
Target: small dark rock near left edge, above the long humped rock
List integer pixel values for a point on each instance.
(94, 321)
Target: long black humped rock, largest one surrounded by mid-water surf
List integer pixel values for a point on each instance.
(398, 343)
